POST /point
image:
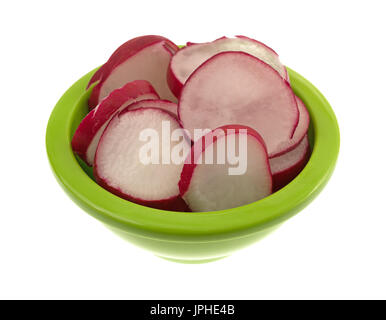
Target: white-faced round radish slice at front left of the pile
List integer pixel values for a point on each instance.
(120, 165)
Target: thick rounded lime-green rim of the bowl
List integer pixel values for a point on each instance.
(149, 222)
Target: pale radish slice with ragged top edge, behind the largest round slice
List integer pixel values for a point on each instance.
(188, 59)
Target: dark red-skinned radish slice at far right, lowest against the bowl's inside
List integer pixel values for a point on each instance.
(286, 167)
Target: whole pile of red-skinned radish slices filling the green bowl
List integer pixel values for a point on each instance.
(225, 100)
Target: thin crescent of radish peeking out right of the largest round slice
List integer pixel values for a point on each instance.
(300, 131)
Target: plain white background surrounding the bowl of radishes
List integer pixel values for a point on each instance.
(335, 248)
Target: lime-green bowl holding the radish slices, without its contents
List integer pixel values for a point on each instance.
(191, 237)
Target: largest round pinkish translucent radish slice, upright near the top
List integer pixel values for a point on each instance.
(235, 87)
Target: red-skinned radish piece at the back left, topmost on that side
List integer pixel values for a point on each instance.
(144, 58)
